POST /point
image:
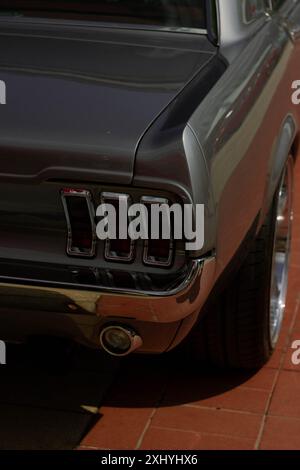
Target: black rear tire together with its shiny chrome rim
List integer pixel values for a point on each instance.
(241, 327)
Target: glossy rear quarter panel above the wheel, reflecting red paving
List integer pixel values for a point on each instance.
(239, 126)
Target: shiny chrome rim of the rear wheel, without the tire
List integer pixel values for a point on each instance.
(281, 253)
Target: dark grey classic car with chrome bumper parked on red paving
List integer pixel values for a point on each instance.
(186, 102)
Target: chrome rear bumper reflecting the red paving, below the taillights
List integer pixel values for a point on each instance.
(149, 311)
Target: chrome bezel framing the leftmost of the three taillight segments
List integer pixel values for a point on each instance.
(85, 194)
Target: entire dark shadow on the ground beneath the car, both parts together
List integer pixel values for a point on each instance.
(51, 391)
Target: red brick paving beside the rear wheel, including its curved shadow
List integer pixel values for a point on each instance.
(157, 405)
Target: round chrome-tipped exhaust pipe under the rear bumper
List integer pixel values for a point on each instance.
(119, 340)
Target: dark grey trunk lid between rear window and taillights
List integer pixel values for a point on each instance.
(80, 98)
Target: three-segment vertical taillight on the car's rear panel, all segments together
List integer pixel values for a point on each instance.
(80, 216)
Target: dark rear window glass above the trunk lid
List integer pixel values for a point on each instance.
(169, 13)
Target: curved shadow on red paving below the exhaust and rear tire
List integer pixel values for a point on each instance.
(166, 380)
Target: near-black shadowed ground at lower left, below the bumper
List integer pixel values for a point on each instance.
(50, 393)
